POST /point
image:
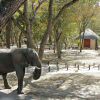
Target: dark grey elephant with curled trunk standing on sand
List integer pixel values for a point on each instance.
(17, 60)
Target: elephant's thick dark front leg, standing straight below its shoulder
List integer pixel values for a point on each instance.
(20, 75)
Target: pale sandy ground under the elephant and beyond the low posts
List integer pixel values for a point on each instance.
(62, 84)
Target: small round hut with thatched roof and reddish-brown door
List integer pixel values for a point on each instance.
(89, 39)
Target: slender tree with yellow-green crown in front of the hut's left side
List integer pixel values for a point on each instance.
(83, 16)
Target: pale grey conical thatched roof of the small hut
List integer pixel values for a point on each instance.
(88, 34)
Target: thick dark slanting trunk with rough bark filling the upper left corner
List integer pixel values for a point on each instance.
(7, 9)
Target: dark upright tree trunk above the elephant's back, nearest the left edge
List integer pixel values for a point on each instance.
(8, 33)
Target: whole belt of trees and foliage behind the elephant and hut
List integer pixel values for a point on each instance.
(54, 22)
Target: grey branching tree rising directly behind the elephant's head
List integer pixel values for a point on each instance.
(28, 22)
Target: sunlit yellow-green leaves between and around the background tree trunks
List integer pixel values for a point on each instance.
(70, 23)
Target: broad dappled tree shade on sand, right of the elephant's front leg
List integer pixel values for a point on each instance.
(67, 87)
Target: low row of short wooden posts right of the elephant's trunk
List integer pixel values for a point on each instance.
(51, 66)
